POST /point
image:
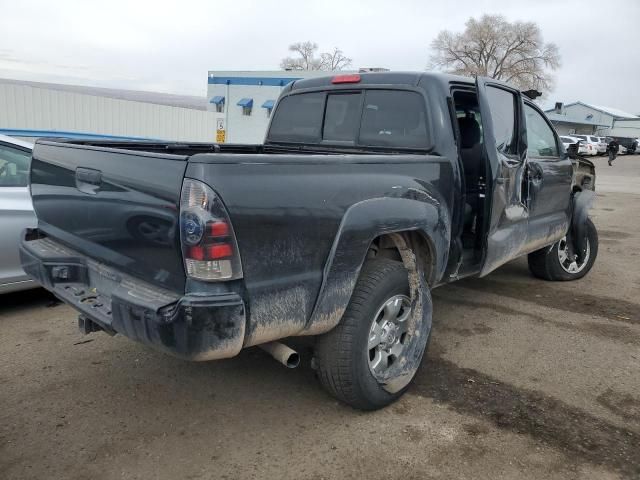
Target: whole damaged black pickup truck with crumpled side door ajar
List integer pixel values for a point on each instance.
(369, 191)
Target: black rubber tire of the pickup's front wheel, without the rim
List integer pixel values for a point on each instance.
(545, 264)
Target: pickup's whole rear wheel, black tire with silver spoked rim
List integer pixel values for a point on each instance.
(370, 358)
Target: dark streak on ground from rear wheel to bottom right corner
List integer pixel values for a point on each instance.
(576, 433)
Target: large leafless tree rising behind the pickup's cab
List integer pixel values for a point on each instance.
(493, 47)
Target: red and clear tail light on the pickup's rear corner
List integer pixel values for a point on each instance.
(209, 246)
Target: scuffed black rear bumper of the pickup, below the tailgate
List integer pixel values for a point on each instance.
(192, 327)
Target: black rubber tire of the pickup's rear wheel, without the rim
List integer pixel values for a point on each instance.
(342, 355)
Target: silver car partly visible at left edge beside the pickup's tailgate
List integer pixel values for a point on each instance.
(16, 211)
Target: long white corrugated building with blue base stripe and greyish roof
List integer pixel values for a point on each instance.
(32, 109)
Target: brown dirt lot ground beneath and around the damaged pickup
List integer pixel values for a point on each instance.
(524, 379)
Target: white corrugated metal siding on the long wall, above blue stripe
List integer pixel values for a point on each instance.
(33, 108)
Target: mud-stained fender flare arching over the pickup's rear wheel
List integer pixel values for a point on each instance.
(362, 223)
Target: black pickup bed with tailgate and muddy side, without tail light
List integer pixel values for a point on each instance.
(120, 207)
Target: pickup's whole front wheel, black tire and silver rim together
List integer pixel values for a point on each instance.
(559, 263)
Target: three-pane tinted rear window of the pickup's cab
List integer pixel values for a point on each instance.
(375, 118)
